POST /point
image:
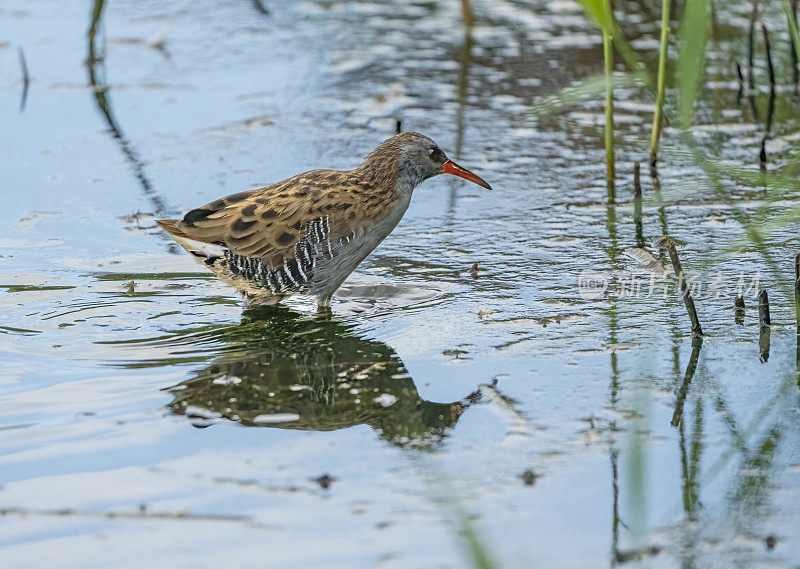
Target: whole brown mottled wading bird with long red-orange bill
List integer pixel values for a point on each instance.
(306, 234)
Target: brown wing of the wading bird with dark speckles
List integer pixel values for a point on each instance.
(271, 223)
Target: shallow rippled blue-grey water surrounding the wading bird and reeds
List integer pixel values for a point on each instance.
(133, 383)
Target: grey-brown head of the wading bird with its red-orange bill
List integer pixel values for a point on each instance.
(415, 158)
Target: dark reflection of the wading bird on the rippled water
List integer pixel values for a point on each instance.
(289, 371)
